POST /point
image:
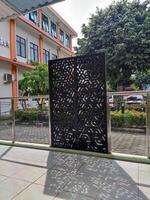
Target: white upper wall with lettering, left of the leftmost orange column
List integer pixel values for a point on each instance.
(5, 35)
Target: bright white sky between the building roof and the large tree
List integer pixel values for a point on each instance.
(77, 12)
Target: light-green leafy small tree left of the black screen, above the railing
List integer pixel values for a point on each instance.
(35, 82)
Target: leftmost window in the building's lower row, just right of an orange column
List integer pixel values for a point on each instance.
(21, 46)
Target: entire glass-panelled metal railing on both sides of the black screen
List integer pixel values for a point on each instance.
(27, 120)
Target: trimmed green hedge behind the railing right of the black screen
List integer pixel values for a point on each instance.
(128, 119)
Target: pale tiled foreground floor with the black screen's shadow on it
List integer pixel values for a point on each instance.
(28, 174)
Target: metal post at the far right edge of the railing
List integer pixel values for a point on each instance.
(148, 125)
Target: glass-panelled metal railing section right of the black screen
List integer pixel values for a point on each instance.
(129, 122)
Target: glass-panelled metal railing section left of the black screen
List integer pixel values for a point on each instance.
(27, 119)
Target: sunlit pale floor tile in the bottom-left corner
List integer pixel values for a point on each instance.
(12, 187)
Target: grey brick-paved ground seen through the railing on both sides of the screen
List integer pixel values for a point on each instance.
(122, 142)
